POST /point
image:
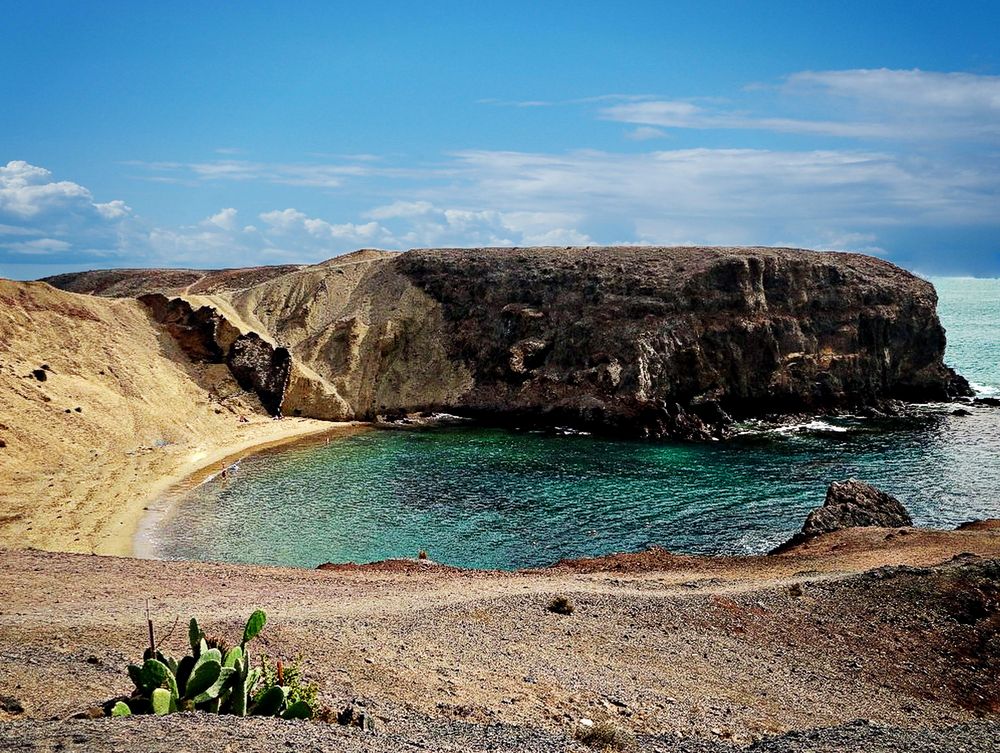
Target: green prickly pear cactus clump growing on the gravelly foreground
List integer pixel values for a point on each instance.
(216, 678)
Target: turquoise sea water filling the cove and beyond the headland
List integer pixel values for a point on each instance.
(480, 497)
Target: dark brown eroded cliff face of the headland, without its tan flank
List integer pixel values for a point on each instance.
(668, 341)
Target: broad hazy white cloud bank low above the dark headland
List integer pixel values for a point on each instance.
(732, 195)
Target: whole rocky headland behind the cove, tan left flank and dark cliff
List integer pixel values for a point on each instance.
(642, 341)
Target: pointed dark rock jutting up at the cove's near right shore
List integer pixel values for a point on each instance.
(850, 504)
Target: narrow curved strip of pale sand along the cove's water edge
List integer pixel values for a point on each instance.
(164, 495)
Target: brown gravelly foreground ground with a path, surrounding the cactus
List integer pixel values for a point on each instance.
(687, 653)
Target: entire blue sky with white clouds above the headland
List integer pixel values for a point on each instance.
(230, 134)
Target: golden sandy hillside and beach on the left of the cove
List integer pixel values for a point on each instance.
(121, 414)
